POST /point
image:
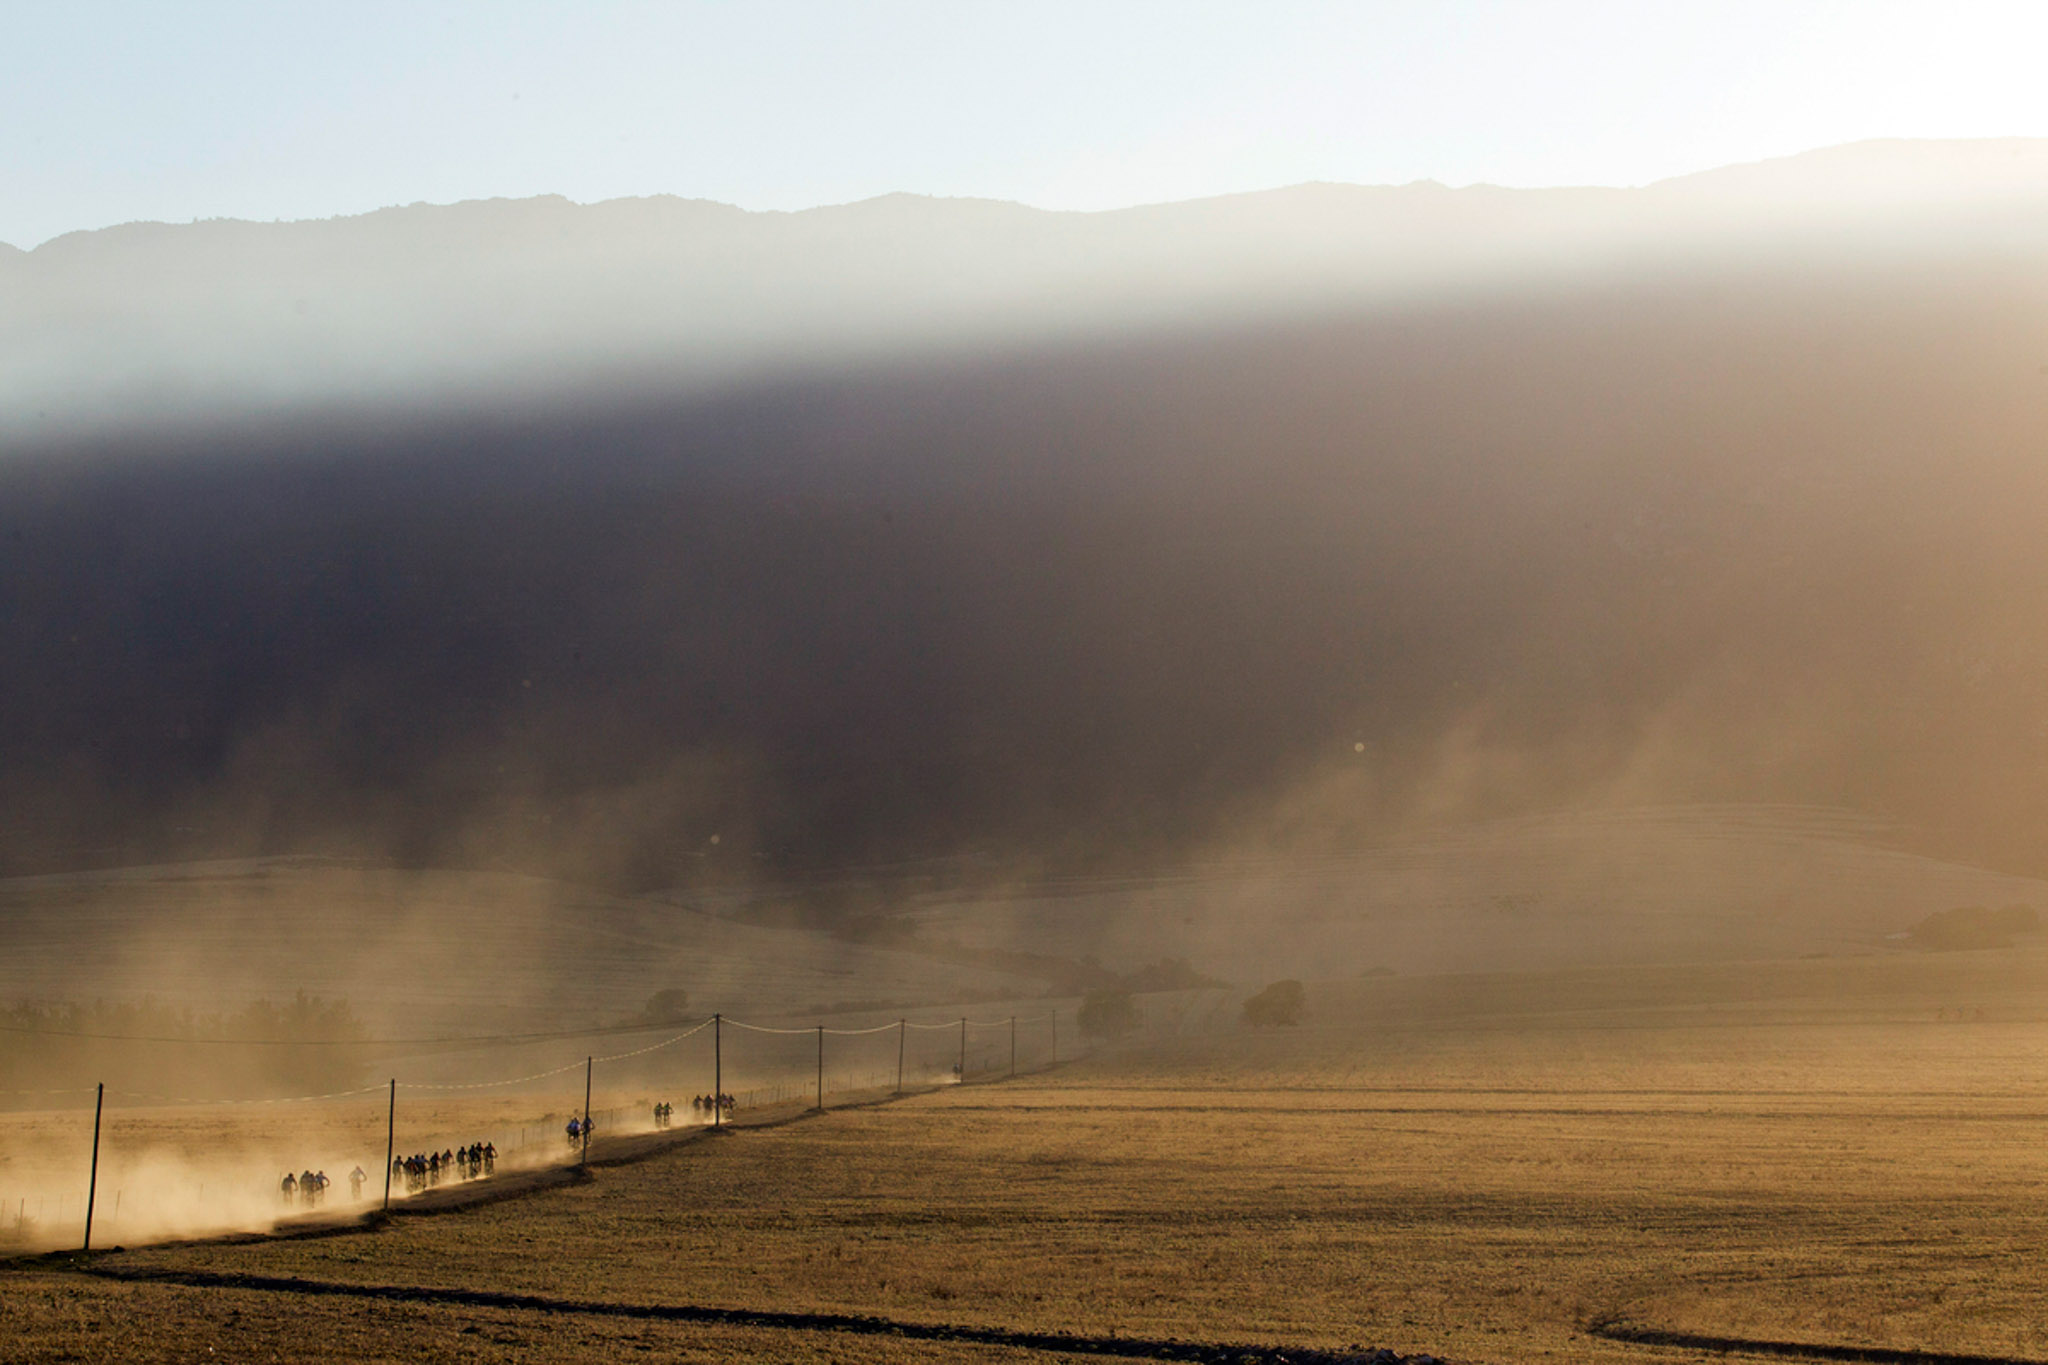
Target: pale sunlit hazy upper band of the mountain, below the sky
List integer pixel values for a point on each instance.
(503, 302)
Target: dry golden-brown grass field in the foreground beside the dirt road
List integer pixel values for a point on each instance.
(1832, 1155)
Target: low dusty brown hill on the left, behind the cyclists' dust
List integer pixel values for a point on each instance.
(447, 953)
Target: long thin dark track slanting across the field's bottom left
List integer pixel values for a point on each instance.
(859, 1325)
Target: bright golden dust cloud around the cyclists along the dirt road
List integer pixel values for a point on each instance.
(181, 1168)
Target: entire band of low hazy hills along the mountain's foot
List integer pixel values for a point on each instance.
(441, 953)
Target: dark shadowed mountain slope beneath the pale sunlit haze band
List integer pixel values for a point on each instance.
(1734, 527)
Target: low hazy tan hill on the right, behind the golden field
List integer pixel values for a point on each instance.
(1676, 885)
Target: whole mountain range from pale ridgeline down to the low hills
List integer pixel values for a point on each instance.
(1015, 556)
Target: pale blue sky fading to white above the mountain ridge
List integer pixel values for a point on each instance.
(120, 112)
